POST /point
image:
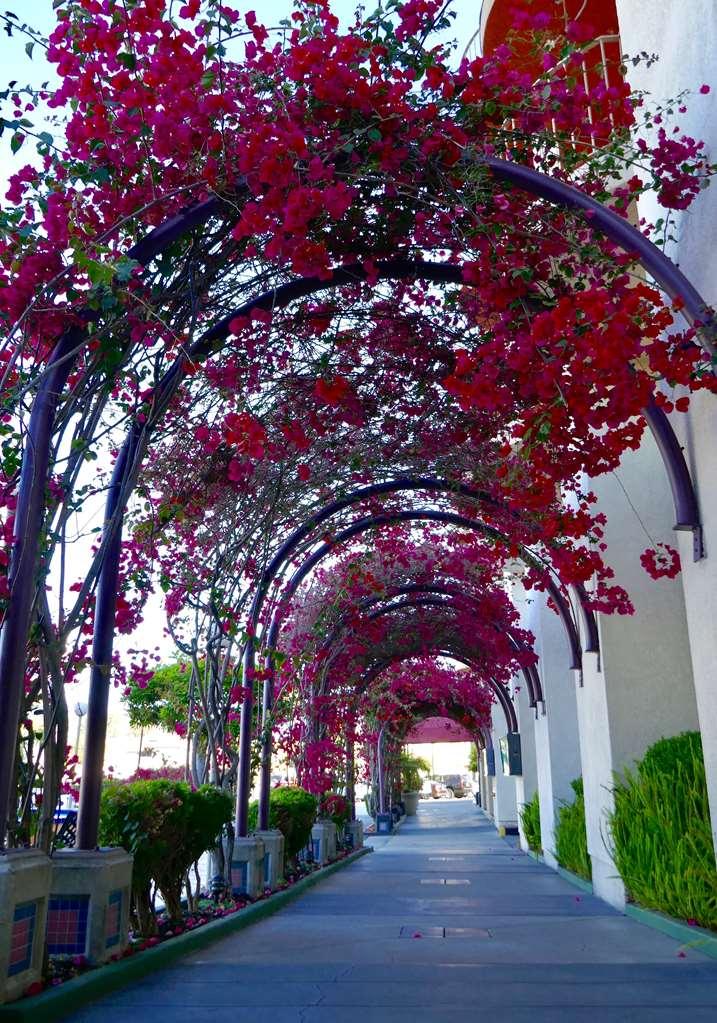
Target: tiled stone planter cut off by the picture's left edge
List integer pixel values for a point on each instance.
(25, 888)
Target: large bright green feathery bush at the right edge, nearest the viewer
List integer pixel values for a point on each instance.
(661, 832)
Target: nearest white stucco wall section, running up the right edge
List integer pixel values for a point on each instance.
(684, 35)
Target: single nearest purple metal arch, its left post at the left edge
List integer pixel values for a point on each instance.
(26, 543)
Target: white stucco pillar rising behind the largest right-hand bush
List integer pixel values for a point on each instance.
(641, 689)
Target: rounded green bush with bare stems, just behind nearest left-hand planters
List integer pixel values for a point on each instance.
(167, 827)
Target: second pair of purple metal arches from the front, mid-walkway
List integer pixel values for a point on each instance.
(362, 526)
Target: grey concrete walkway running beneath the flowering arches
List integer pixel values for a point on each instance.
(443, 923)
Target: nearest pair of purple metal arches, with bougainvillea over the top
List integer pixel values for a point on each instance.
(30, 508)
